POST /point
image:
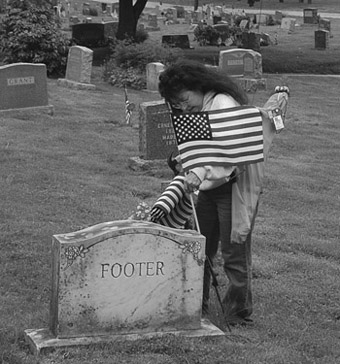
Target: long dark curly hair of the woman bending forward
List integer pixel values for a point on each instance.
(194, 76)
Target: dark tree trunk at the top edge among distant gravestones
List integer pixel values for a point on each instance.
(129, 14)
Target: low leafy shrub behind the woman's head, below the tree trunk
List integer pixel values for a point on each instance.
(128, 63)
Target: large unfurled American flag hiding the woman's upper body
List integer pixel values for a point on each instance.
(222, 137)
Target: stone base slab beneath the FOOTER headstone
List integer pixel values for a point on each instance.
(42, 339)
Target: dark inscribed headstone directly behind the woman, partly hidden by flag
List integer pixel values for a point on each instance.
(156, 135)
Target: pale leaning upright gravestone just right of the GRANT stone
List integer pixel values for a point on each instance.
(78, 69)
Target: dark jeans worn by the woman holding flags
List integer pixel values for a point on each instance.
(214, 218)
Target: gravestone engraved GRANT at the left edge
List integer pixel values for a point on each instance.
(22, 86)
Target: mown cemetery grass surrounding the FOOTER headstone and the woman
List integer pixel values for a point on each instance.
(65, 172)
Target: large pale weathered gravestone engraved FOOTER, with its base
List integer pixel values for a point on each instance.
(124, 280)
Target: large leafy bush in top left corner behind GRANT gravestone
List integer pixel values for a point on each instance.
(31, 34)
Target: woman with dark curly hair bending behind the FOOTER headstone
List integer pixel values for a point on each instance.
(192, 87)
